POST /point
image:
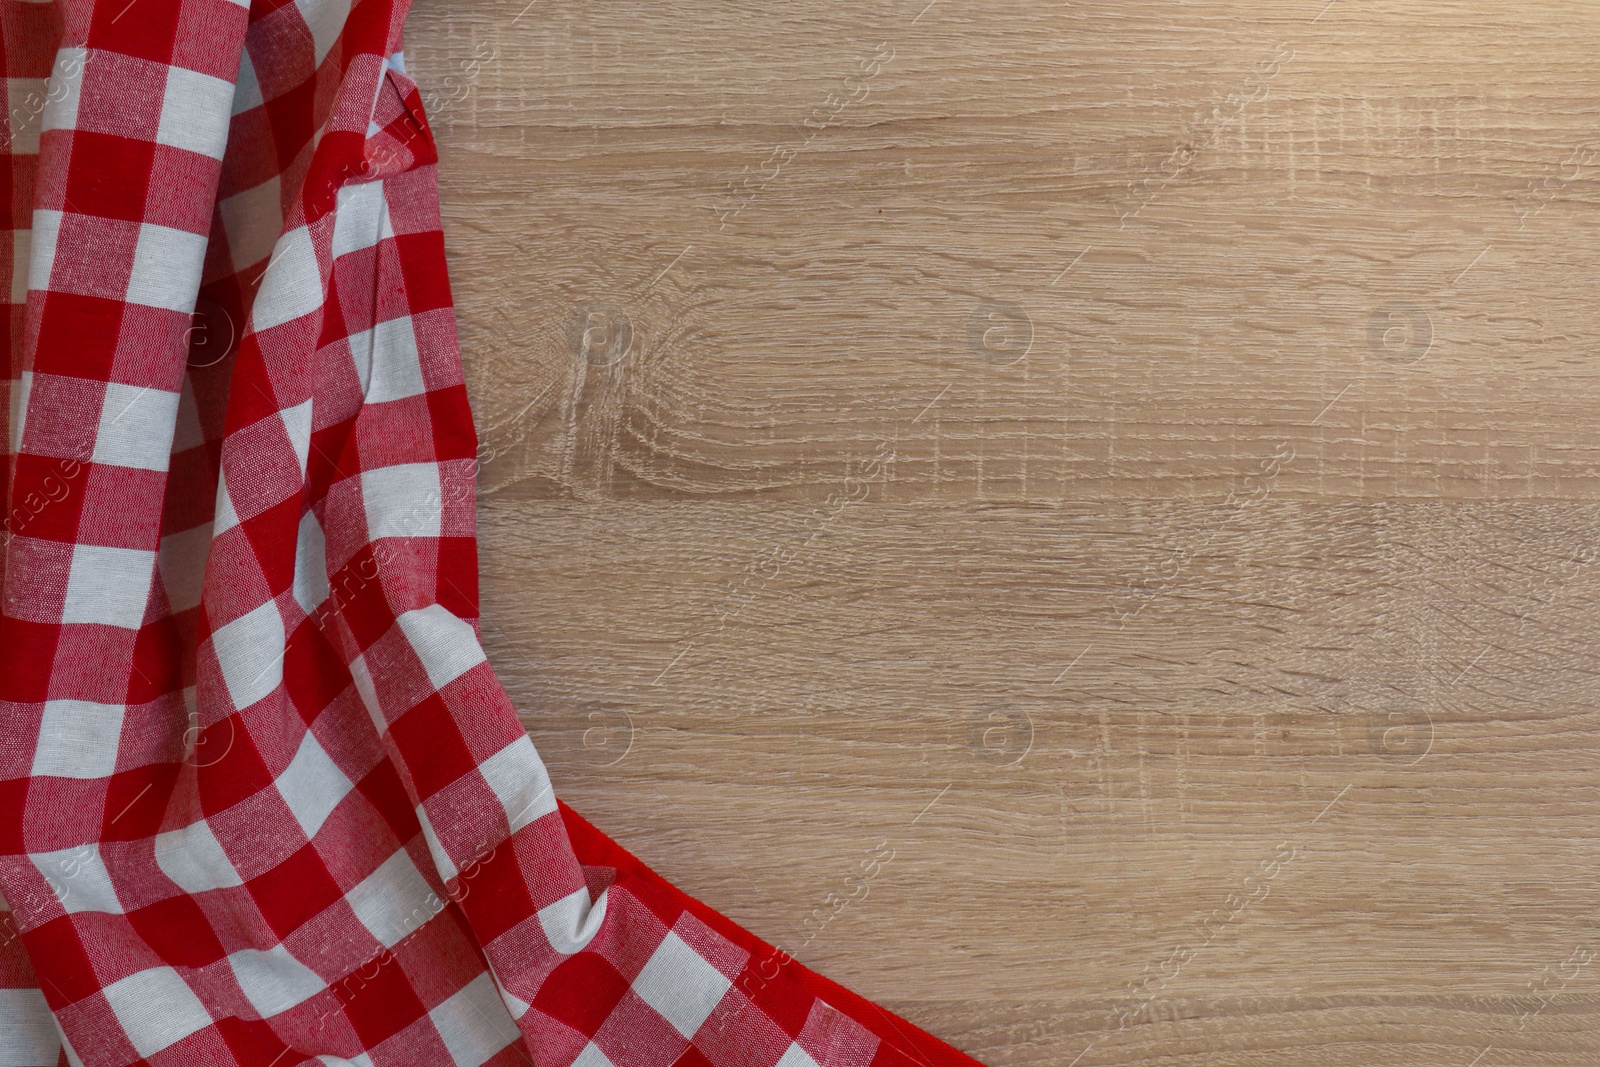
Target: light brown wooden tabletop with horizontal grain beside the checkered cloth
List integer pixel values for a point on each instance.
(1129, 473)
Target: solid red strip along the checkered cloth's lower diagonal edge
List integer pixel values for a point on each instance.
(594, 849)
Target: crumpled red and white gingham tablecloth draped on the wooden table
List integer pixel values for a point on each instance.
(262, 797)
